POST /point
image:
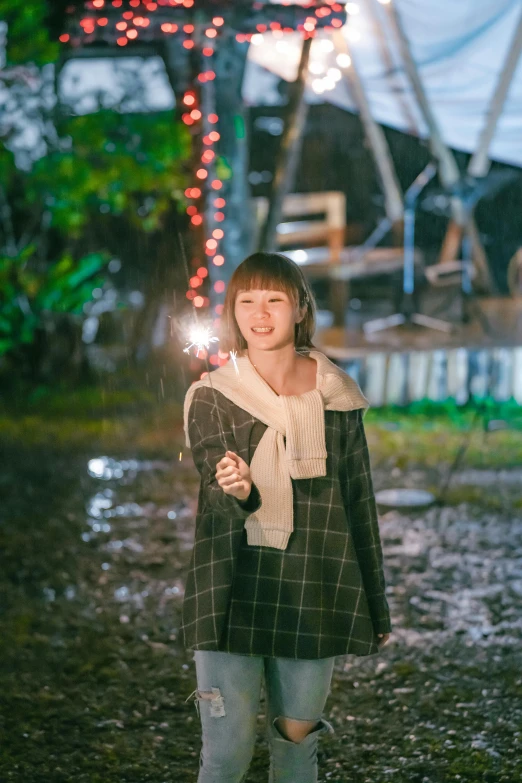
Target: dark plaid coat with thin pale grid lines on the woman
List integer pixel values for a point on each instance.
(324, 595)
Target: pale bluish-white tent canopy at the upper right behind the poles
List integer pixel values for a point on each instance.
(459, 47)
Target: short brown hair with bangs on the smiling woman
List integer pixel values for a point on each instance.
(268, 271)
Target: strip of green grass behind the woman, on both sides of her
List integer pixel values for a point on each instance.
(126, 414)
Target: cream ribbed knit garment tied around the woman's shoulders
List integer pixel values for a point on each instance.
(300, 418)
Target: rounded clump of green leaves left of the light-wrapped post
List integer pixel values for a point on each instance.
(117, 164)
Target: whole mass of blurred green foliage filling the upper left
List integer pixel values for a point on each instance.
(96, 167)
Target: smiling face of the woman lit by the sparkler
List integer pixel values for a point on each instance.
(266, 319)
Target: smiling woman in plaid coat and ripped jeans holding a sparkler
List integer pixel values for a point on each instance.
(286, 571)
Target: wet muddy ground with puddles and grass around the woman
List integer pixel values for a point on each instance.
(96, 526)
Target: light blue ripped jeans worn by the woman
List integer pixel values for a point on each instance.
(227, 698)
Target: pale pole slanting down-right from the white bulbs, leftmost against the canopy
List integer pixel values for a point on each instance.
(393, 198)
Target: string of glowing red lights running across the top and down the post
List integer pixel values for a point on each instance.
(197, 26)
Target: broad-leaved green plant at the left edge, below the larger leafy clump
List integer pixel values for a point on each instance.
(28, 296)
